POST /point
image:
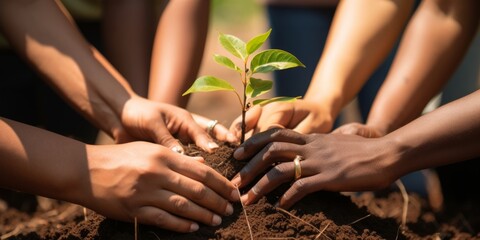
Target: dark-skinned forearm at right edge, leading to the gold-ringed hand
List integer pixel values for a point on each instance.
(447, 135)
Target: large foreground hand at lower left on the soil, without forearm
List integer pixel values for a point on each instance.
(156, 185)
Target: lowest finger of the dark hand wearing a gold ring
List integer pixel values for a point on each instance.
(299, 190)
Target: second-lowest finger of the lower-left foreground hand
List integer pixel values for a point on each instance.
(184, 207)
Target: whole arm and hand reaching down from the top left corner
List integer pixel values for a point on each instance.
(41, 32)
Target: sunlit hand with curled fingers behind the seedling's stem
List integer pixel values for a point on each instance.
(302, 116)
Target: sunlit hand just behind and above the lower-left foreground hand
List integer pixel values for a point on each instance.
(147, 120)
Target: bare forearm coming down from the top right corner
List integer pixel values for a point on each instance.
(435, 42)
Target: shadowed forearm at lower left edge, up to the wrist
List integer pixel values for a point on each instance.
(39, 162)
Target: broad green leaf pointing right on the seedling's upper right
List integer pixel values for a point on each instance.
(274, 59)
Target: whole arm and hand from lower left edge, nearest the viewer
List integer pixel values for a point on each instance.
(139, 179)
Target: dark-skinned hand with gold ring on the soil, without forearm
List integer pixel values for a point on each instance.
(332, 162)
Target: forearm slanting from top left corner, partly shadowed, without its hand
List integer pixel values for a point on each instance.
(40, 32)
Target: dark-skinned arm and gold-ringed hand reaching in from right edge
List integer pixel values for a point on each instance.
(336, 162)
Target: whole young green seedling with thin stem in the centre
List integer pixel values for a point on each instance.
(264, 62)
